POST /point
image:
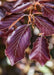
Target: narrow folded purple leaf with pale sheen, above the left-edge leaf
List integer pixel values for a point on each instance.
(21, 8)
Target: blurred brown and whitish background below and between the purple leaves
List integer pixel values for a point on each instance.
(26, 66)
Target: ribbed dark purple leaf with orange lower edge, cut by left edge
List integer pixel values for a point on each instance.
(9, 20)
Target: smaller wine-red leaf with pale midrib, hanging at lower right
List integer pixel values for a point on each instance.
(40, 51)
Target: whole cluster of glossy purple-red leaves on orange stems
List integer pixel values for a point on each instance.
(39, 13)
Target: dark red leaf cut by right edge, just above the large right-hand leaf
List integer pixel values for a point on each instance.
(49, 13)
